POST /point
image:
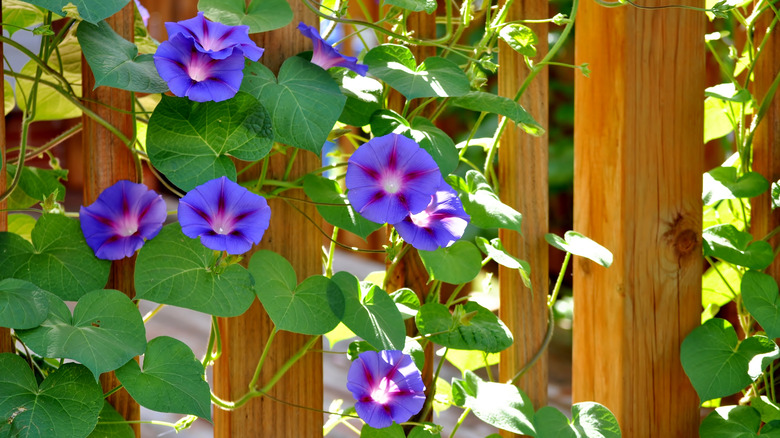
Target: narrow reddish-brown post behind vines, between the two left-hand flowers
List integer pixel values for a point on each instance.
(107, 160)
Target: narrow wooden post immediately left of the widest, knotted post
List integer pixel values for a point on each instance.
(522, 170)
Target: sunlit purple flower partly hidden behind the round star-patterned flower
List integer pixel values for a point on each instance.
(439, 225)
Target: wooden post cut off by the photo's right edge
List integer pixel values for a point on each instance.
(766, 156)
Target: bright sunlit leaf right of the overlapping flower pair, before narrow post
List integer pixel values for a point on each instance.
(482, 203)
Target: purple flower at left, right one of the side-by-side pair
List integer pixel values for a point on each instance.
(226, 216)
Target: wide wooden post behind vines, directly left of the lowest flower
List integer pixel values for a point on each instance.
(294, 237)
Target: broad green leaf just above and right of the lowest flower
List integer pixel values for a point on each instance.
(469, 327)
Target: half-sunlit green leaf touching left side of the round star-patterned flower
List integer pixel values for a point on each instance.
(327, 191)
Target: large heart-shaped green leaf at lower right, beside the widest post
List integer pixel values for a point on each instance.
(716, 363)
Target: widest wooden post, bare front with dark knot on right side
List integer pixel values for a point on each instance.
(638, 161)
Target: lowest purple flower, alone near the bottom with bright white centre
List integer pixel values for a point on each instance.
(387, 386)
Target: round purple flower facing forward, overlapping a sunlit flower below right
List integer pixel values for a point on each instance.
(391, 177)
